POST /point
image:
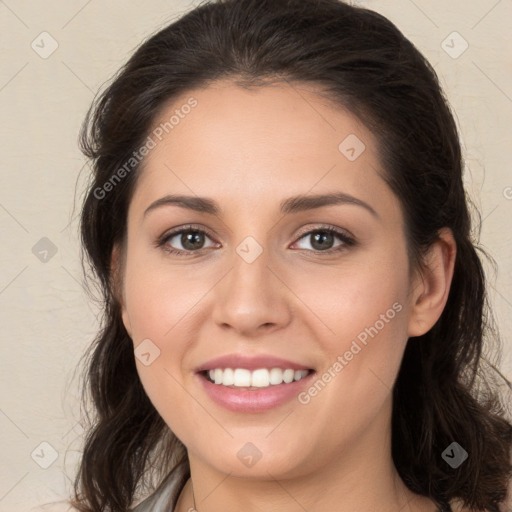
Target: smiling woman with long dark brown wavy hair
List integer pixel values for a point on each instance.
(294, 307)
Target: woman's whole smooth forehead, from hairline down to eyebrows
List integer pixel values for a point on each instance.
(264, 141)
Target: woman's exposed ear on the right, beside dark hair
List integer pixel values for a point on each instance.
(432, 285)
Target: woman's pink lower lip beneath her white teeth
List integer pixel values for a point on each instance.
(256, 400)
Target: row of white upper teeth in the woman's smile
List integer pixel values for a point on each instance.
(260, 378)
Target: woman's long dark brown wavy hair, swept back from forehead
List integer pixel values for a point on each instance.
(444, 391)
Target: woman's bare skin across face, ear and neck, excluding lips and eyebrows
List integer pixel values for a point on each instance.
(249, 150)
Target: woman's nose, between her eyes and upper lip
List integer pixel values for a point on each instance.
(252, 298)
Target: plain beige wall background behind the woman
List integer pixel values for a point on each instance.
(46, 318)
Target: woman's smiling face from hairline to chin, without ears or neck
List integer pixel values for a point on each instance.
(256, 280)
